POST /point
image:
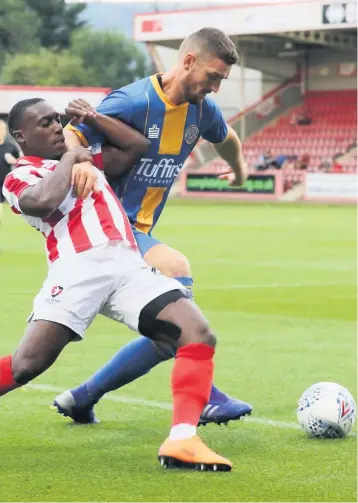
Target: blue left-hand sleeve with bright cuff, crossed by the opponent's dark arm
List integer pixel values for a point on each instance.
(118, 105)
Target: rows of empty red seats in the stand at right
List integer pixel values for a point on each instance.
(332, 131)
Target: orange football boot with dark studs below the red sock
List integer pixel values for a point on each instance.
(191, 453)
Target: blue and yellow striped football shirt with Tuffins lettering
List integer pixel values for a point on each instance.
(173, 131)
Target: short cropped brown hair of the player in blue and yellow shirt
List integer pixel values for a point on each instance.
(212, 41)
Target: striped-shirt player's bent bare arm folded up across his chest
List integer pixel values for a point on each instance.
(42, 199)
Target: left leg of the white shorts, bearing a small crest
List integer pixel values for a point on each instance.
(74, 292)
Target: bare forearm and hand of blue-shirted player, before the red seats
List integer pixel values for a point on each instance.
(231, 151)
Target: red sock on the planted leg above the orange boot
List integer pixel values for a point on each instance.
(192, 378)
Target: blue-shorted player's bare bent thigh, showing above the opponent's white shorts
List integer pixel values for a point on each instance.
(169, 261)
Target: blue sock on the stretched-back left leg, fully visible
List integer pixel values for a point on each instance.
(132, 361)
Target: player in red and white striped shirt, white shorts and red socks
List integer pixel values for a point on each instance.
(95, 267)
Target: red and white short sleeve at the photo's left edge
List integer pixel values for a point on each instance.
(16, 182)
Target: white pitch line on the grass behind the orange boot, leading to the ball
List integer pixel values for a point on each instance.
(163, 405)
